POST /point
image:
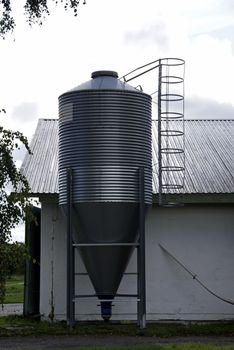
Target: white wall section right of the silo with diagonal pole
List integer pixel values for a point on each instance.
(203, 238)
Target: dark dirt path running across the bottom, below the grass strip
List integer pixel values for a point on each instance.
(59, 342)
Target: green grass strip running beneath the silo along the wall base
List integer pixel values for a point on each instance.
(18, 325)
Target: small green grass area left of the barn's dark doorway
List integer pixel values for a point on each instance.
(15, 290)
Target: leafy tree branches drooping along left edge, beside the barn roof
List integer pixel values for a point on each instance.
(14, 202)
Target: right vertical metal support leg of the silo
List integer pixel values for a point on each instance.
(141, 284)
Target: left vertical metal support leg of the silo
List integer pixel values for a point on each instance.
(70, 255)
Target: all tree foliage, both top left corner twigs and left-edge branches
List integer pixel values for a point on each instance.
(14, 188)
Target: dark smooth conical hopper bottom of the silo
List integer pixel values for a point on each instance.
(106, 223)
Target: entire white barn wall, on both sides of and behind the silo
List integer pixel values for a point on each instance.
(202, 237)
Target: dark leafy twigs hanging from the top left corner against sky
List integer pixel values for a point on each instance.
(35, 11)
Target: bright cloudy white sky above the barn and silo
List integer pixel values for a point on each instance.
(38, 64)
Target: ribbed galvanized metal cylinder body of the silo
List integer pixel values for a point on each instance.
(105, 142)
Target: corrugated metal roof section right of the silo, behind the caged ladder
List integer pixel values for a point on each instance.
(209, 156)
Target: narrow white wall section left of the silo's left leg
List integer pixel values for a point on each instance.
(53, 261)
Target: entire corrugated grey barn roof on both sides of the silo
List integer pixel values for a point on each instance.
(209, 157)
